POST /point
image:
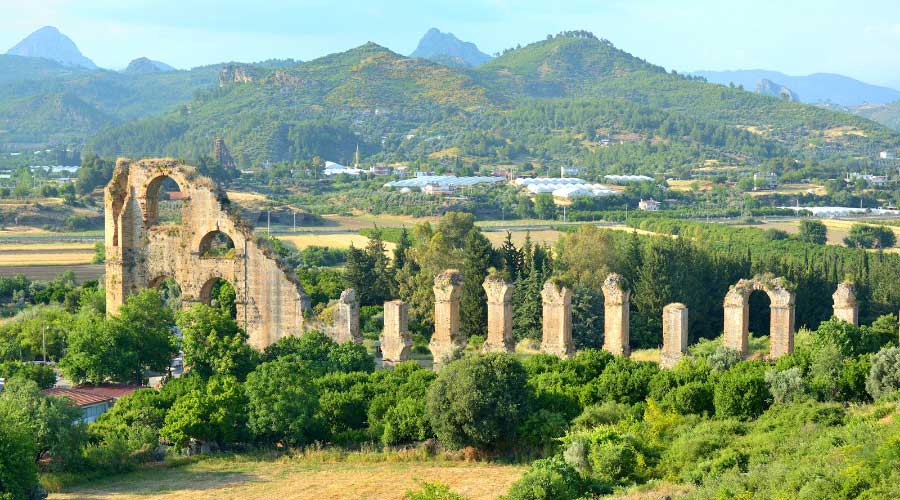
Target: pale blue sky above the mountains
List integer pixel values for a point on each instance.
(860, 39)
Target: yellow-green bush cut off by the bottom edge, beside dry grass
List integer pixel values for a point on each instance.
(552, 478)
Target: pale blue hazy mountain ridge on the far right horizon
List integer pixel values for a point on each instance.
(815, 88)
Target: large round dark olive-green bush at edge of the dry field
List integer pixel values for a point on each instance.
(478, 401)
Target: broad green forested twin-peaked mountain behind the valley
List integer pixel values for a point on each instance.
(551, 102)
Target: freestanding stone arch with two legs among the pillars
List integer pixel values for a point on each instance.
(737, 314)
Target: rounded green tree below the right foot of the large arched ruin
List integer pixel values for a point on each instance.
(282, 401)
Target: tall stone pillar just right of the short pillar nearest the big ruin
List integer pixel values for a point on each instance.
(446, 338)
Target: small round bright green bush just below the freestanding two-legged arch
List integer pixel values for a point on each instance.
(741, 391)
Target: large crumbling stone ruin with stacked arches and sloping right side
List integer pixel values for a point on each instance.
(141, 253)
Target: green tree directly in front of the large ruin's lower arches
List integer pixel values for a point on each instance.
(214, 344)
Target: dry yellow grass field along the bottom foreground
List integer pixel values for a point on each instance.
(300, 479)
